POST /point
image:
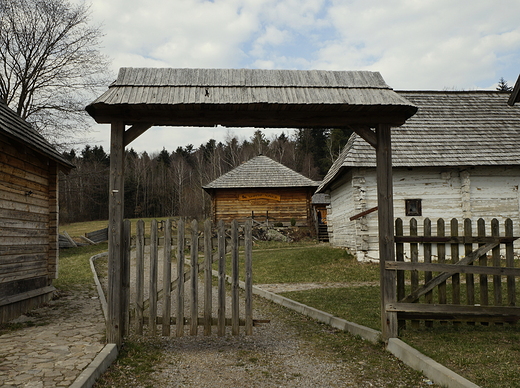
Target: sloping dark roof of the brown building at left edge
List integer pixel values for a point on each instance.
(18, 129)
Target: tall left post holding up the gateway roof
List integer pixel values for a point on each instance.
(115, 234)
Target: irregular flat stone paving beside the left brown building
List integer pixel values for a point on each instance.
(55, 344)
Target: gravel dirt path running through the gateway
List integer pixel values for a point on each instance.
(290, 351)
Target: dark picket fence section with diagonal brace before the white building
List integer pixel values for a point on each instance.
(444, 295)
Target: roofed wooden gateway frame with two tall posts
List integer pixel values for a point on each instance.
(142, 98)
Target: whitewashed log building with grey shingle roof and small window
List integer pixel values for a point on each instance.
(458, 157)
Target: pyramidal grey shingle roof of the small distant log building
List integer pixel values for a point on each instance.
(261, 171)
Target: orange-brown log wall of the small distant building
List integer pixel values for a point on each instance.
(294, 203)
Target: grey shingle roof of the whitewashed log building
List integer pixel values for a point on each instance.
(450, 129)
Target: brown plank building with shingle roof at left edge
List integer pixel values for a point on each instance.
(29, 168)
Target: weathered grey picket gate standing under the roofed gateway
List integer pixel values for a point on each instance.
(177, 302)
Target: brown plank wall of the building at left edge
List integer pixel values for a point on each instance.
(28, 212)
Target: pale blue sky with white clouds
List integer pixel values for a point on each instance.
(414, 44)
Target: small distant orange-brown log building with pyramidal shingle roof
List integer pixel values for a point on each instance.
(265, 190)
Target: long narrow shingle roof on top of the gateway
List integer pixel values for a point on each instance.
(250, 97)
